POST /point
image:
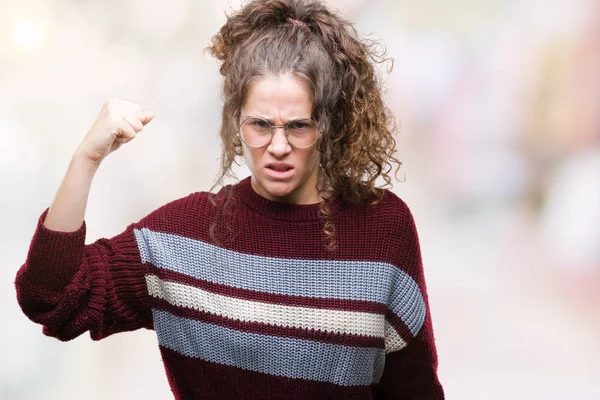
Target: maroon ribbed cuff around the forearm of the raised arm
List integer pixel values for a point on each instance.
(54, 256)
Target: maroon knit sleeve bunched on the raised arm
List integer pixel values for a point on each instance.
(71, 288)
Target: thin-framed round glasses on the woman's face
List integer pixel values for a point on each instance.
(258, 132)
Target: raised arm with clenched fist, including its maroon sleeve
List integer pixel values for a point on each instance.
(69, 287)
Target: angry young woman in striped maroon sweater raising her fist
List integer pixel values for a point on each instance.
(303, 281)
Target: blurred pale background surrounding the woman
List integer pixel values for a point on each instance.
(499, 106)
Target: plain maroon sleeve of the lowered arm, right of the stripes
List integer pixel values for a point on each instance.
(411, 372)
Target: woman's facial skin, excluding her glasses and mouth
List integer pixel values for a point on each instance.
(279, 99)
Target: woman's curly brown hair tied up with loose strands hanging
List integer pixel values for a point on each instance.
(318, 46)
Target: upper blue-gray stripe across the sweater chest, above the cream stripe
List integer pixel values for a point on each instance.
(339, 279)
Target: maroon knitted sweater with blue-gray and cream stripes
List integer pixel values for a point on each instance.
(270, 313)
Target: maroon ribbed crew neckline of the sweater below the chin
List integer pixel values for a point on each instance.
(275, 209)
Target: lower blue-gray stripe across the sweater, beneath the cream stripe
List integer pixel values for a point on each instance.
(288, 357)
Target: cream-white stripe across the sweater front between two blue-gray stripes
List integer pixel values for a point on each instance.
(338, 321)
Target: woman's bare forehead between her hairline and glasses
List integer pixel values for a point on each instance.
(284, 95)
